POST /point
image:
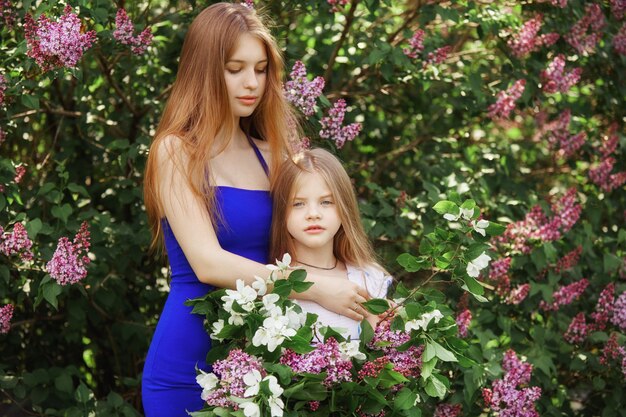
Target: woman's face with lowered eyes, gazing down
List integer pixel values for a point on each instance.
(245, 75)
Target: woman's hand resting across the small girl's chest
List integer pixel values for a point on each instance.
(339, 296)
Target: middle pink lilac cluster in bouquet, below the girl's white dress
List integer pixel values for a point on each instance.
(325, 358)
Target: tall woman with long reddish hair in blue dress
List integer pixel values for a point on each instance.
(206, 190)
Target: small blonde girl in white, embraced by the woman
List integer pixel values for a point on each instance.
(316, 220)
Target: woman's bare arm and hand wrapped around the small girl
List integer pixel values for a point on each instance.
(190, 223)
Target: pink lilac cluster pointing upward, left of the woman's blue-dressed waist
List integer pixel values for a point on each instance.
(69, 262)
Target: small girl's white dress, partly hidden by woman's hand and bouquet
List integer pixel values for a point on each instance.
(372, 278)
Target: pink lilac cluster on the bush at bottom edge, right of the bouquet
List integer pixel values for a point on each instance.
(505, 397)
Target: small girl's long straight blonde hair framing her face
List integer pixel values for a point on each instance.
(351, 244)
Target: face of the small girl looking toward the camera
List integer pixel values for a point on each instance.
(313, 218)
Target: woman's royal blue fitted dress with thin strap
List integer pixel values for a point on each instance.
(180, 343)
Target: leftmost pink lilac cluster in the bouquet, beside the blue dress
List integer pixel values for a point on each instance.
(231, 372)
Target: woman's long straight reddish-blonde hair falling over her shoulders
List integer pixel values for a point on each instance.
(198, 109)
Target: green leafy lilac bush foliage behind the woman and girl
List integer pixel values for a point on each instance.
(83, 135)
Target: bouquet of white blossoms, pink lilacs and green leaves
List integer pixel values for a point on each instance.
(272, 359)
